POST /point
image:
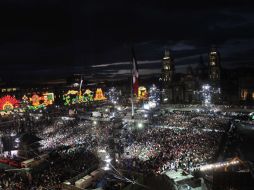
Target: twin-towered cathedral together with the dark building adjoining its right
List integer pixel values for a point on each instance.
(226, 86)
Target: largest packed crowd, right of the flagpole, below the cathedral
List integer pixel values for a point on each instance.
(182, 140)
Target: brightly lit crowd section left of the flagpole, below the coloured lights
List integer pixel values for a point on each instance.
(72, 133)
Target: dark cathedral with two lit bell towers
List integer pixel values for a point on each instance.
(190, 87)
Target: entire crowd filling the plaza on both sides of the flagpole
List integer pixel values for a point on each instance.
(171, 140)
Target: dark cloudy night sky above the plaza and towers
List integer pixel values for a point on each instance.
(55, 38)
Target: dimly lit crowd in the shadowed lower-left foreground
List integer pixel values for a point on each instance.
(62, 164)
